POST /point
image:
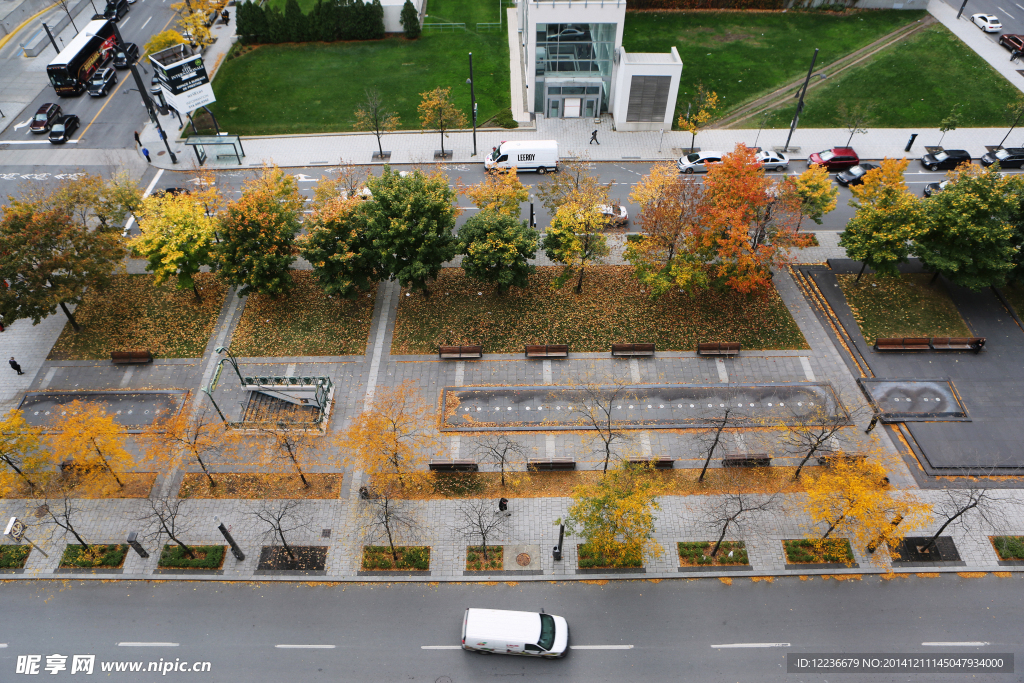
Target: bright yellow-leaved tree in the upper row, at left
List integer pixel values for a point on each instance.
(179, 235)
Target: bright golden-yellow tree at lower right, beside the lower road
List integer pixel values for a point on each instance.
(851, 499)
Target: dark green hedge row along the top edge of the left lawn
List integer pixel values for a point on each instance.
(331, 21)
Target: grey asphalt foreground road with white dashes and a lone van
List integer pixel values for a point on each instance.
(624, 631)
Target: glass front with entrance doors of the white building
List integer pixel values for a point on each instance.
(574, 69)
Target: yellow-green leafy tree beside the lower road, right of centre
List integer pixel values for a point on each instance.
(616, 515)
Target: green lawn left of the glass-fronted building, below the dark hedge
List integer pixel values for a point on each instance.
(316, 88)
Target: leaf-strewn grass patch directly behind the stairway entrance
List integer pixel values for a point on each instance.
(306, 322)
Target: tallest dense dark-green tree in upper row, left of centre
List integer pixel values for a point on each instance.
(410, 223)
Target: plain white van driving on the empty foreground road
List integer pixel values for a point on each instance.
(505, 632)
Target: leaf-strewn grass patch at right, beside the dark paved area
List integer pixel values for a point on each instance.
(905, 307)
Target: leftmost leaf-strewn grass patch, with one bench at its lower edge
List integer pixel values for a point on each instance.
(135, 314)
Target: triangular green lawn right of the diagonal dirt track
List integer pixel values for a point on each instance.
(915, 83)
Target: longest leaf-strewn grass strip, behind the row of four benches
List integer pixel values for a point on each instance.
(613, 309)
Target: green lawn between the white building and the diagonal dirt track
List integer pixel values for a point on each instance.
(742, 56)
